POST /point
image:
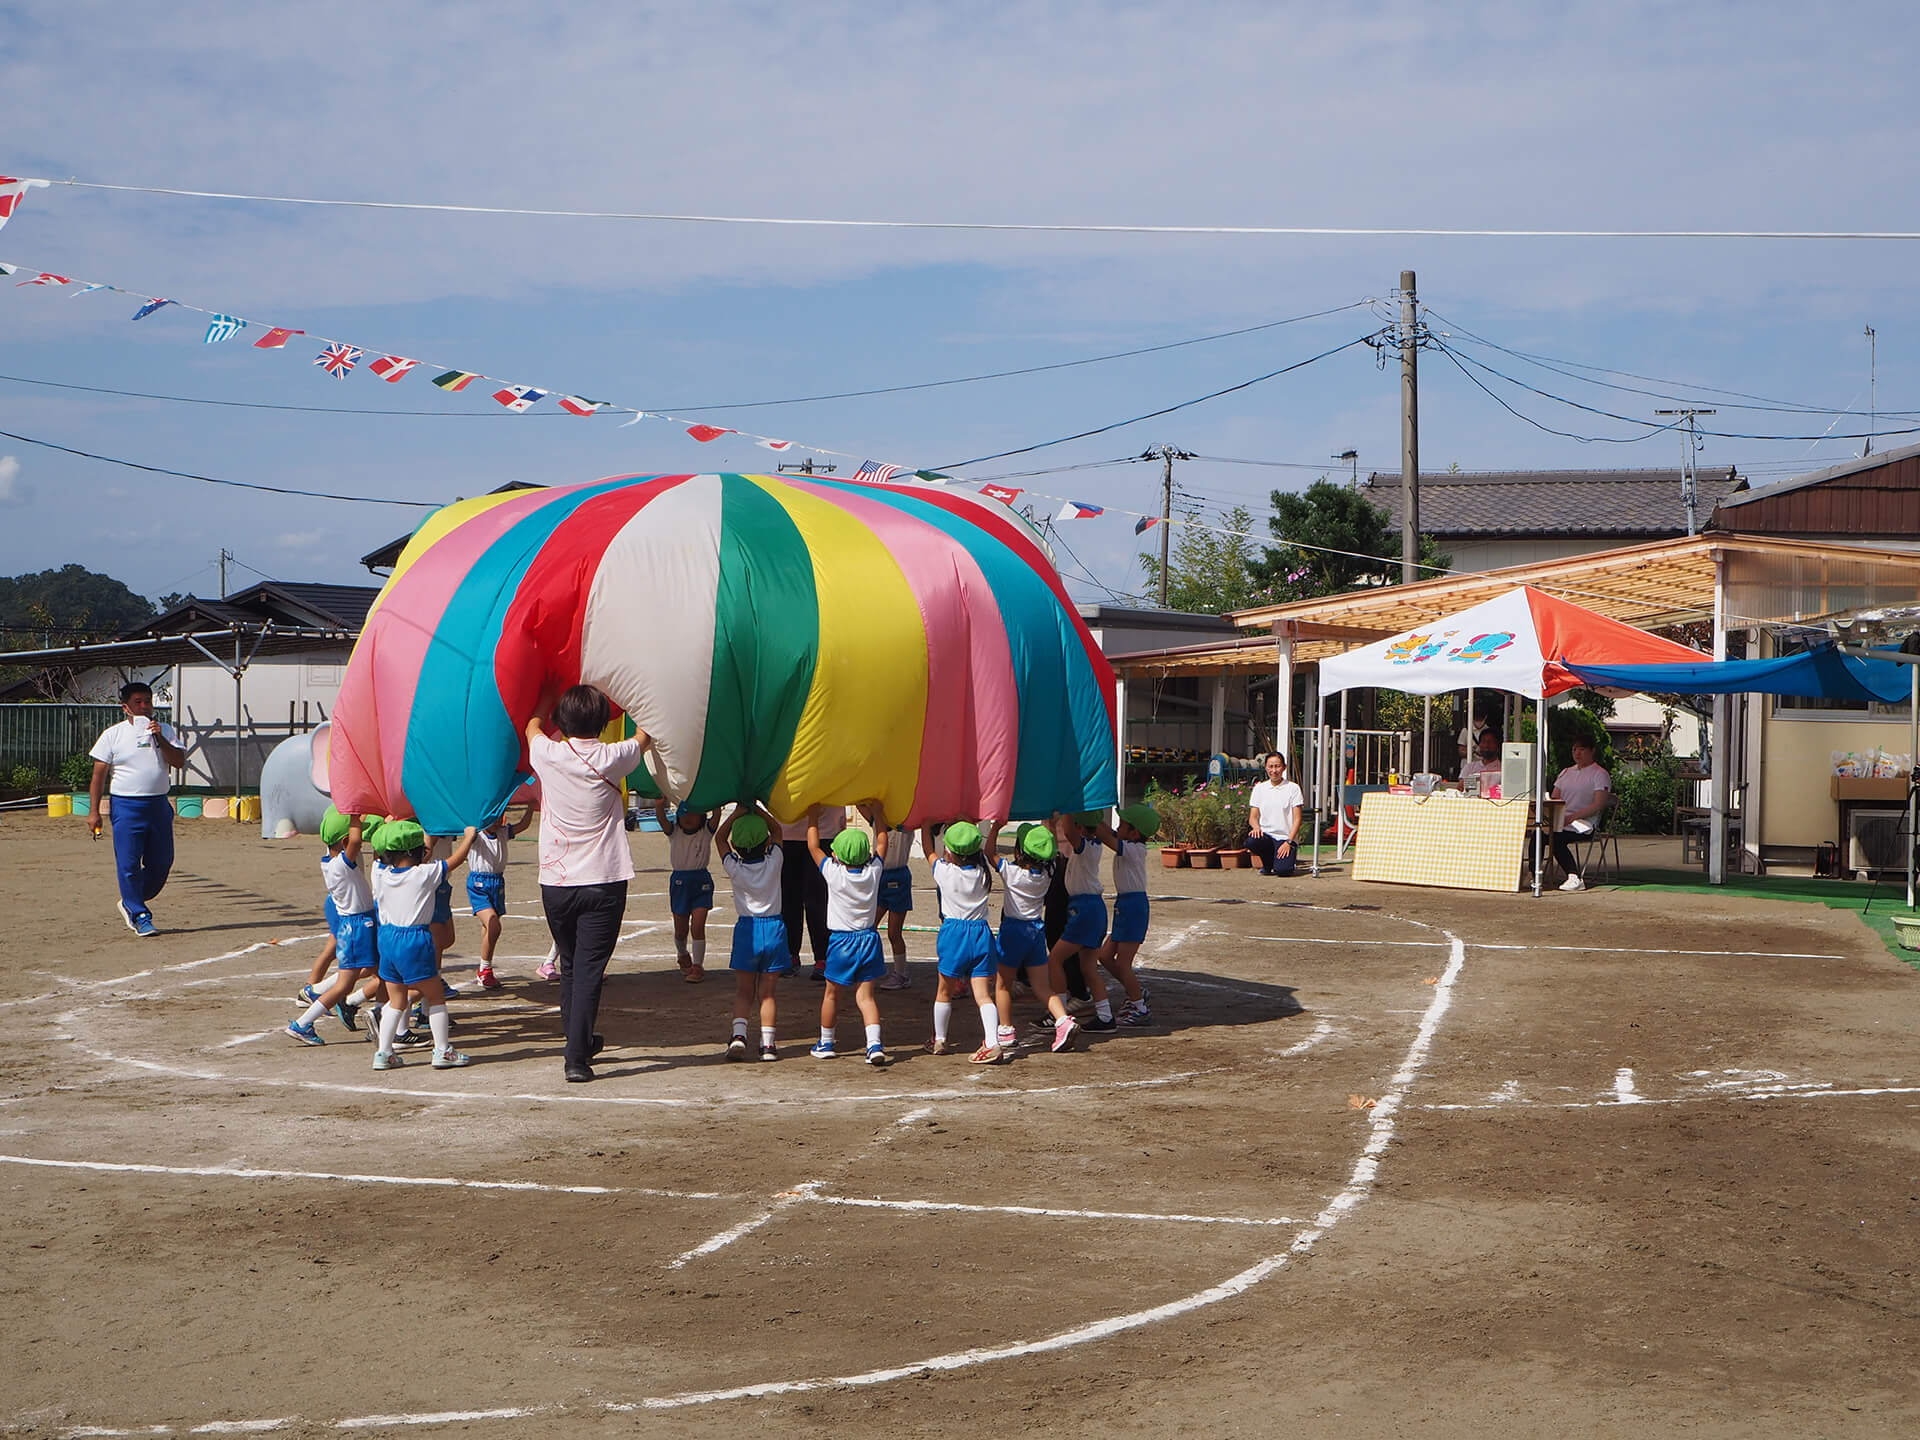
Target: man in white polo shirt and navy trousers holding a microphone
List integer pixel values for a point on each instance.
(139, 754)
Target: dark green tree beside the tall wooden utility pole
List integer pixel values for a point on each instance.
(1332, 539)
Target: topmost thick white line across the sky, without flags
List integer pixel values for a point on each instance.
(1360, 231)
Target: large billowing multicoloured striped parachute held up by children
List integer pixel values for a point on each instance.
(804, 642)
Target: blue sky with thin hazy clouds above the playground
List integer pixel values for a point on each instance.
(1499, 116)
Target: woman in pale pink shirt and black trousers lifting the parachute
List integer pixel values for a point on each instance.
(585, 859)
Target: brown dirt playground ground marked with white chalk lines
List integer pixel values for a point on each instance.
(1635, 1164)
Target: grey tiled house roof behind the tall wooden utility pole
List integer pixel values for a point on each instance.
(1527, 504)
